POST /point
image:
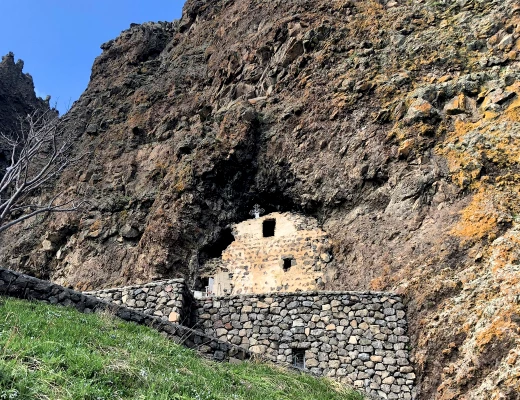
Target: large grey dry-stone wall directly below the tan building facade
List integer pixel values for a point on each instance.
(356, 338)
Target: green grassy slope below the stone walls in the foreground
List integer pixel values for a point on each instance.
(49, 352)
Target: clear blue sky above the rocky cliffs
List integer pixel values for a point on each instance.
(59, 39)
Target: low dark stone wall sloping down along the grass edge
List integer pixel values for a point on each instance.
(14, 284)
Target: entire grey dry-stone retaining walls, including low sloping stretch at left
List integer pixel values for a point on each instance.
(358, 338)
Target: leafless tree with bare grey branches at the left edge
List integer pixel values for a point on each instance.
(38, 153)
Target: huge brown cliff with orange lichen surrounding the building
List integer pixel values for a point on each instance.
(395, 123)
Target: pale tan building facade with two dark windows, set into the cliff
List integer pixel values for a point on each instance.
(279, 252)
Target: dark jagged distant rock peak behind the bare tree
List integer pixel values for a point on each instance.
(17, 99)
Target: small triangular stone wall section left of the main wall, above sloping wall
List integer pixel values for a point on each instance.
(170, 300)
